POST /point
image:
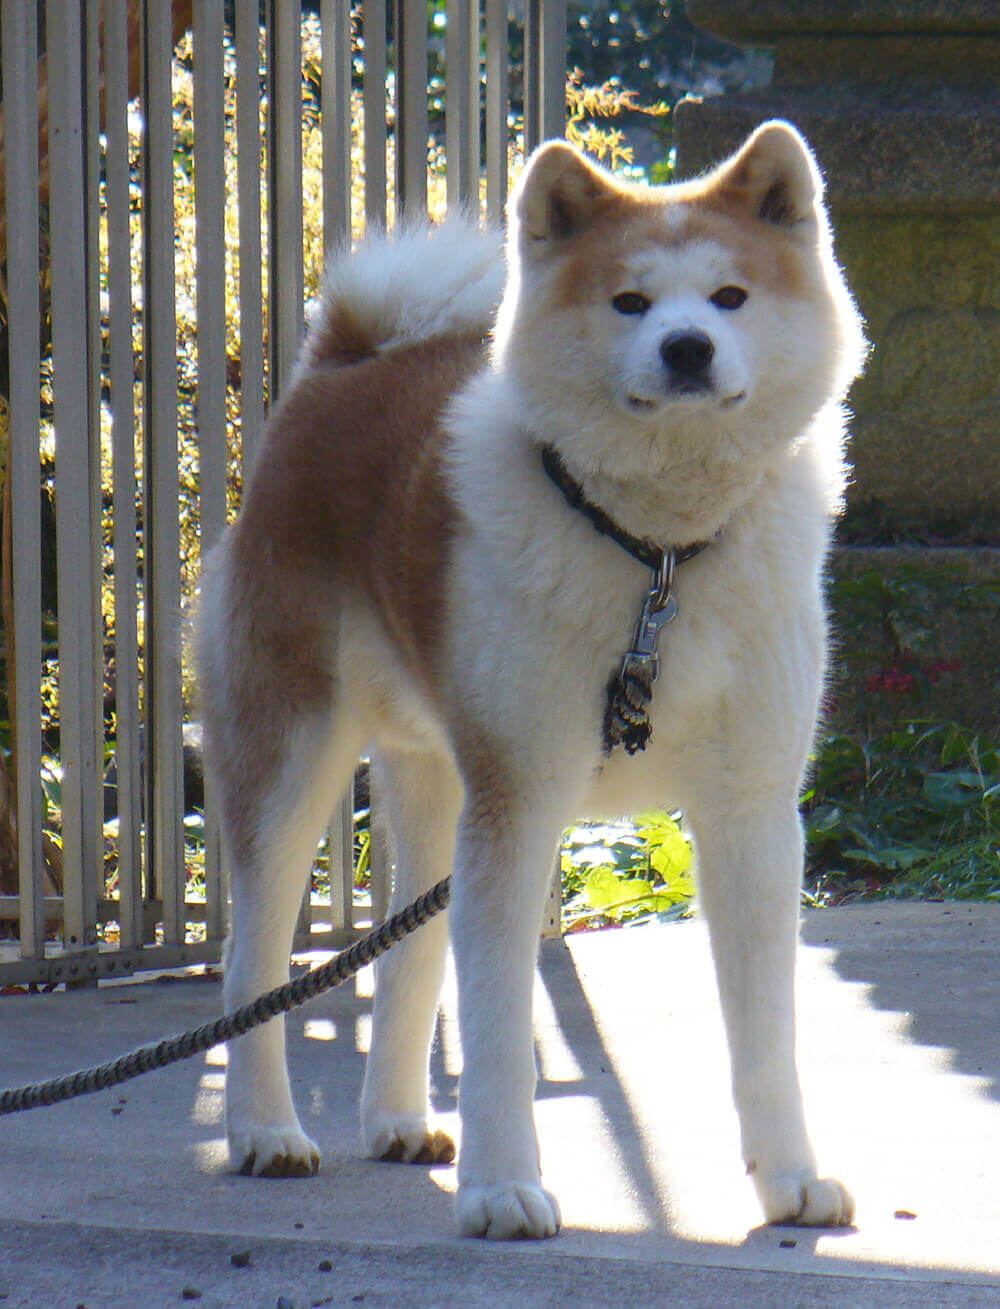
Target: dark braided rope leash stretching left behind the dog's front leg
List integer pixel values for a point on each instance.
(281, 1001)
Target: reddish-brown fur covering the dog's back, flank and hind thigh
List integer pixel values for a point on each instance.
(348, 497)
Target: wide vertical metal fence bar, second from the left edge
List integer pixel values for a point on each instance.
(75, 455)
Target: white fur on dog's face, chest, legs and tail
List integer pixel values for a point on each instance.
(539, 608)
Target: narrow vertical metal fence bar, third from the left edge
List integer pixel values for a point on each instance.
(122, 376)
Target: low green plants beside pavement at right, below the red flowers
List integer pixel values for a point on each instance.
(913, 814)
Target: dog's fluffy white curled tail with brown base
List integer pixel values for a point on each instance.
(405, 287)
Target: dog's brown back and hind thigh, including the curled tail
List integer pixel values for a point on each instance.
(348, 492)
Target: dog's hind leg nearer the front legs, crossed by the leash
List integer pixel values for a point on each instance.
(422, 797)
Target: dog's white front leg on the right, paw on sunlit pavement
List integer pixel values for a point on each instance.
(751, 875)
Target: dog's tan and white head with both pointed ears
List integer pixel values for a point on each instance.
(709, 312)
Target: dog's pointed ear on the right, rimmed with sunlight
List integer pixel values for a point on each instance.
(776, 176)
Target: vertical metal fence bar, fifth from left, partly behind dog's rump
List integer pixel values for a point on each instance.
(210, 238)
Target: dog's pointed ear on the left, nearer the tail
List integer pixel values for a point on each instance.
(558, 196)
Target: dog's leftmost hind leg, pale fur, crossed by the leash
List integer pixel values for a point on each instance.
(273, 823)
